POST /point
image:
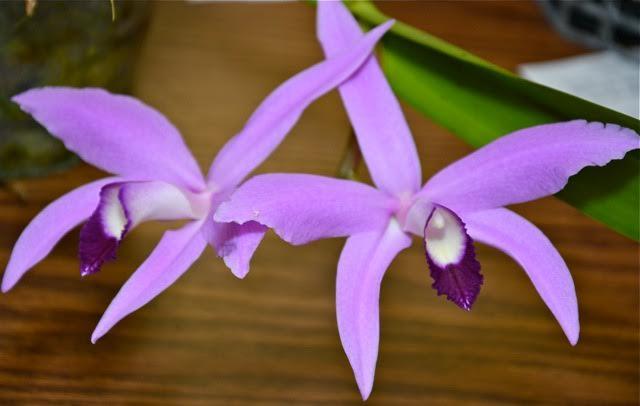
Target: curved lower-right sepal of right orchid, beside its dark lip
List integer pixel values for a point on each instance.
(525, 243)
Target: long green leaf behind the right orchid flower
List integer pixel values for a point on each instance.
(480, 102)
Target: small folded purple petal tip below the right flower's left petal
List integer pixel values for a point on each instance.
(234, 243)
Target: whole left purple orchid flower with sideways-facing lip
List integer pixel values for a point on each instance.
(159, 179)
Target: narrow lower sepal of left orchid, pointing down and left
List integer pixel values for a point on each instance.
(176, 252)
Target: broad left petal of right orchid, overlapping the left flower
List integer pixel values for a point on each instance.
(302, 208)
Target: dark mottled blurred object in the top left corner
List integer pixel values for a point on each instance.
(71, 43)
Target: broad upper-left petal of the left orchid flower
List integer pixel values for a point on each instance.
(116, 133)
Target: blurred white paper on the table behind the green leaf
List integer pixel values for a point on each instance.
(605, 78)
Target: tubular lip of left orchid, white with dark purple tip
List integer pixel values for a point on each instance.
(123, 206)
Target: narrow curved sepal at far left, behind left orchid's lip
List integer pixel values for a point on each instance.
(49, 226)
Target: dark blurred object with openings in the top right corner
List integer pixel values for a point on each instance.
(597, 23)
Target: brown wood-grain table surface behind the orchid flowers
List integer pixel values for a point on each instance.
(272, 338)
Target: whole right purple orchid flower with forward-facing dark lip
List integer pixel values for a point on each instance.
(462, 203)
